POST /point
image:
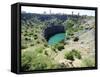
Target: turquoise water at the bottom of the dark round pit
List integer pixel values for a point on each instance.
(56, 38)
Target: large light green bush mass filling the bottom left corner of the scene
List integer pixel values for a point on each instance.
(35, 60)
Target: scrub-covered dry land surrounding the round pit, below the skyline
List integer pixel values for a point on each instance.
(76, 50)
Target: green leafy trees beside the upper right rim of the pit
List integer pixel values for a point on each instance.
(72, 26)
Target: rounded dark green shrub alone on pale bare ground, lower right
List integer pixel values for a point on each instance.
(71, 54)
